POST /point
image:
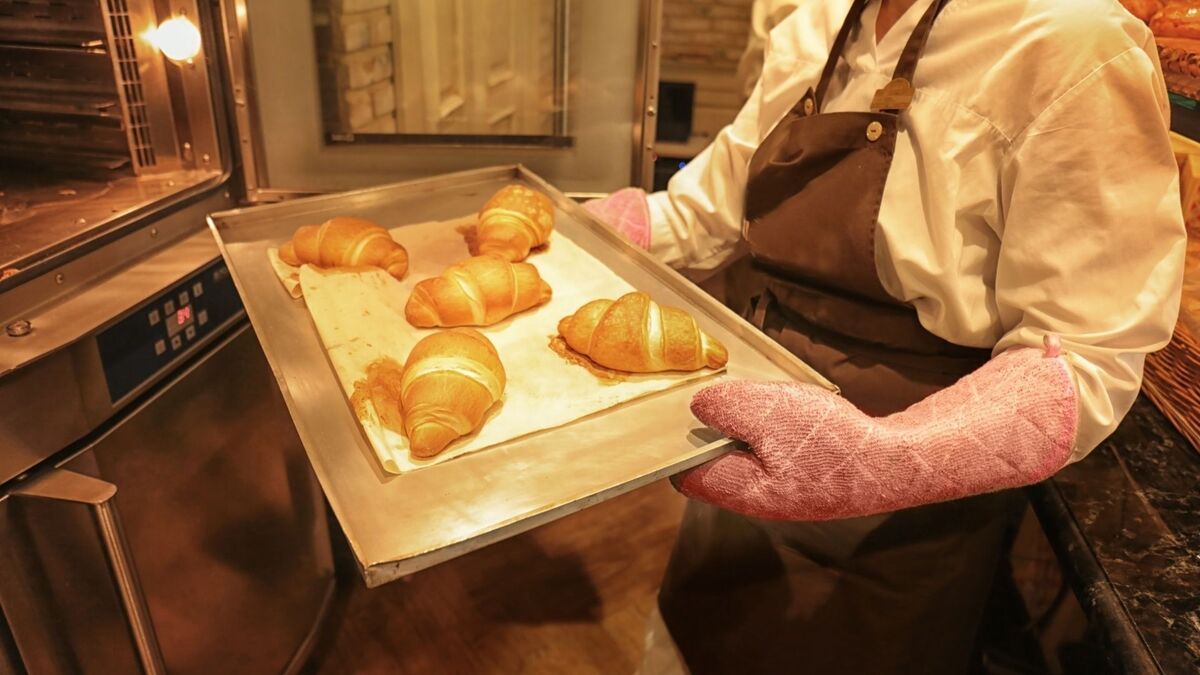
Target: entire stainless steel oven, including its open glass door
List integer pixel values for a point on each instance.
(158, 512)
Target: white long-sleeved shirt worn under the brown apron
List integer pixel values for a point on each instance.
(1034, 188)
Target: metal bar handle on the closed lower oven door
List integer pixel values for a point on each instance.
(98, 495)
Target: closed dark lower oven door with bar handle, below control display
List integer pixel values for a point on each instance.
(188, 539)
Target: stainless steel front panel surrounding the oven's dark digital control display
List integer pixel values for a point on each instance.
(53, 374)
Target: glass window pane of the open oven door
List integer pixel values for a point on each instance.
(459, 71)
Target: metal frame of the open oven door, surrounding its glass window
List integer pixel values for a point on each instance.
(272, 57)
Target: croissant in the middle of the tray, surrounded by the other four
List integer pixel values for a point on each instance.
(478, 291)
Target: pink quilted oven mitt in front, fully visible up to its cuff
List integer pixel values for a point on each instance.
(817, 457)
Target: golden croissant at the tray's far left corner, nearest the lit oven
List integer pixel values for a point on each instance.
(346, 242)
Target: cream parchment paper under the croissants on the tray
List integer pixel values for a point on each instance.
(361, 318)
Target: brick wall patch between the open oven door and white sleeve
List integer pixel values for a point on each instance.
(705, 33)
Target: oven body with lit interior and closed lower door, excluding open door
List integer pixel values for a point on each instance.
(157, 510)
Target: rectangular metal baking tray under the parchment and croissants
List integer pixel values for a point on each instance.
(400, 524)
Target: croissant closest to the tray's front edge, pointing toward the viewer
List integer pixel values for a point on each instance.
(451, 381)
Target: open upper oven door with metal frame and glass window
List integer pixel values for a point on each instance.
(339, 94)
